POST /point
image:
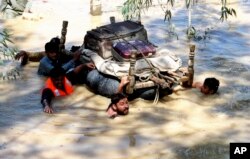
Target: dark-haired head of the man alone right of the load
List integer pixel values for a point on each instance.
(210, 85)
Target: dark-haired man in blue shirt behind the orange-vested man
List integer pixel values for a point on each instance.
(75, 70)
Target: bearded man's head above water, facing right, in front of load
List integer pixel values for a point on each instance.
(119, 105)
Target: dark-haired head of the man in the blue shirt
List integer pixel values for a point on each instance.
(52, 50)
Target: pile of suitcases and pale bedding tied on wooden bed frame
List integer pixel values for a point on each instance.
(122, 49)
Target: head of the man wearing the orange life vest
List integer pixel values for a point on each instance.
(57, 75)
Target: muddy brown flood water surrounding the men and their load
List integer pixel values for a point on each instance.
(184, 125)
